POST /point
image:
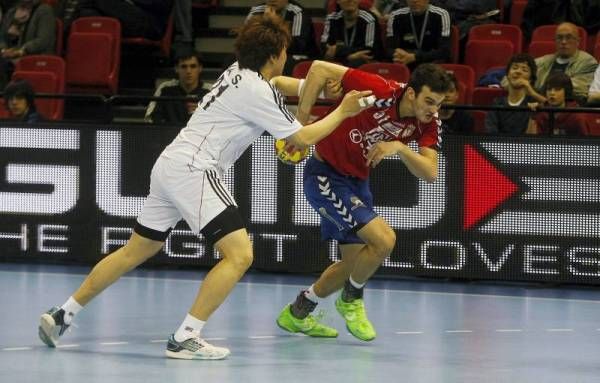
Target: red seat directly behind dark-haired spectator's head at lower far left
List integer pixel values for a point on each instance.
(42, 82)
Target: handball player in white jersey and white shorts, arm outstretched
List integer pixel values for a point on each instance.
(186, 182)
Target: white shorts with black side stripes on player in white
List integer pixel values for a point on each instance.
(178, 191)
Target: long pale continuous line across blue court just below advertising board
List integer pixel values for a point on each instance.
(196, 281)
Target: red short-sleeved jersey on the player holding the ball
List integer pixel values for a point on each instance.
(346, 148)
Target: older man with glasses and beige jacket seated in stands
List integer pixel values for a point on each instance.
(577, 64)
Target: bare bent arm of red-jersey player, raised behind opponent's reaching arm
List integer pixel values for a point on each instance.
(319, 73)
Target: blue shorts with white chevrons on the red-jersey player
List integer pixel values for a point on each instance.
(344, 203)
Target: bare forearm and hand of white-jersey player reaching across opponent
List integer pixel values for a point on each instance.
(352, 104)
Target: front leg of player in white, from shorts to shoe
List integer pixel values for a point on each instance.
(210, 201)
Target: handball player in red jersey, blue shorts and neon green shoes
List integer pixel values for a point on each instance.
(336, 183)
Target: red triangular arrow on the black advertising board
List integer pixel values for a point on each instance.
(485, 187)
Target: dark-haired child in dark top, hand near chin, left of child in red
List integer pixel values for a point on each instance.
(521, 73)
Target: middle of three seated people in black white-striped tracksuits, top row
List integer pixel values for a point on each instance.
(351, 35)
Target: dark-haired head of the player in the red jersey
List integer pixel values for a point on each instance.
(426, 90)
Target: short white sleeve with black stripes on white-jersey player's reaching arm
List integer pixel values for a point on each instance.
(268, 110)
